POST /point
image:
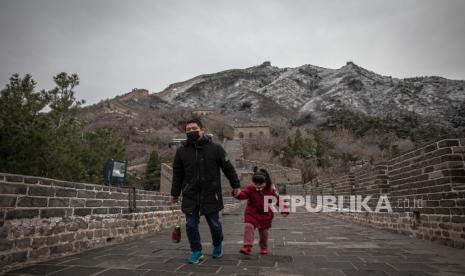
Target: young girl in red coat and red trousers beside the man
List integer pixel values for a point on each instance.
(255, 215)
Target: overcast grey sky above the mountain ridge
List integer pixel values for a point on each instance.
(117, 45)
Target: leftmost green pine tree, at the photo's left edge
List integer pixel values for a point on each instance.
(23, 128)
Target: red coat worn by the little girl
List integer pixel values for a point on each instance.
(254, 211)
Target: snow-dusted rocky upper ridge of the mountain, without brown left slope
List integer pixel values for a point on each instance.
(269, 91)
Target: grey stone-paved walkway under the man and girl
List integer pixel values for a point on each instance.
(301, 244)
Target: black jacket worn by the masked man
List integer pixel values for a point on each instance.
(196, 175)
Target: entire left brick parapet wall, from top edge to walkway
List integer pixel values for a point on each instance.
(43, 218)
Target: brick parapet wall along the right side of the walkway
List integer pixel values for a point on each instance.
(425, 186)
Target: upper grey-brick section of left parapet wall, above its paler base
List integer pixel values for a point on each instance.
(31, 197)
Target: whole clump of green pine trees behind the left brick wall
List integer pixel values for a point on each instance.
(51, 144)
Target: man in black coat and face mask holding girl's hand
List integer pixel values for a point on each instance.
(196, 175)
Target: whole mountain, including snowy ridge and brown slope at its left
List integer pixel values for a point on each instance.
(278, 95)
